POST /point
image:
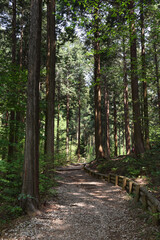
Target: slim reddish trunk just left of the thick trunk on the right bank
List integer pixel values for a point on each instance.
(126, 109)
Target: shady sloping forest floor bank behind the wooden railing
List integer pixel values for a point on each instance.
(144, 170)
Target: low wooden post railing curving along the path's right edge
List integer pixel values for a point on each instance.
(140, 193)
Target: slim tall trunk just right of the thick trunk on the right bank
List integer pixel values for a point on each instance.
(145, 97)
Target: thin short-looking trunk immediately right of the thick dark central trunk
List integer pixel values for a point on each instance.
(107, 145)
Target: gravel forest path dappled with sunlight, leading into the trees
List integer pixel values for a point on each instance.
(85, 209)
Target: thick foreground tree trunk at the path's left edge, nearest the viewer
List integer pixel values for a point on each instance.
(30, 188)
